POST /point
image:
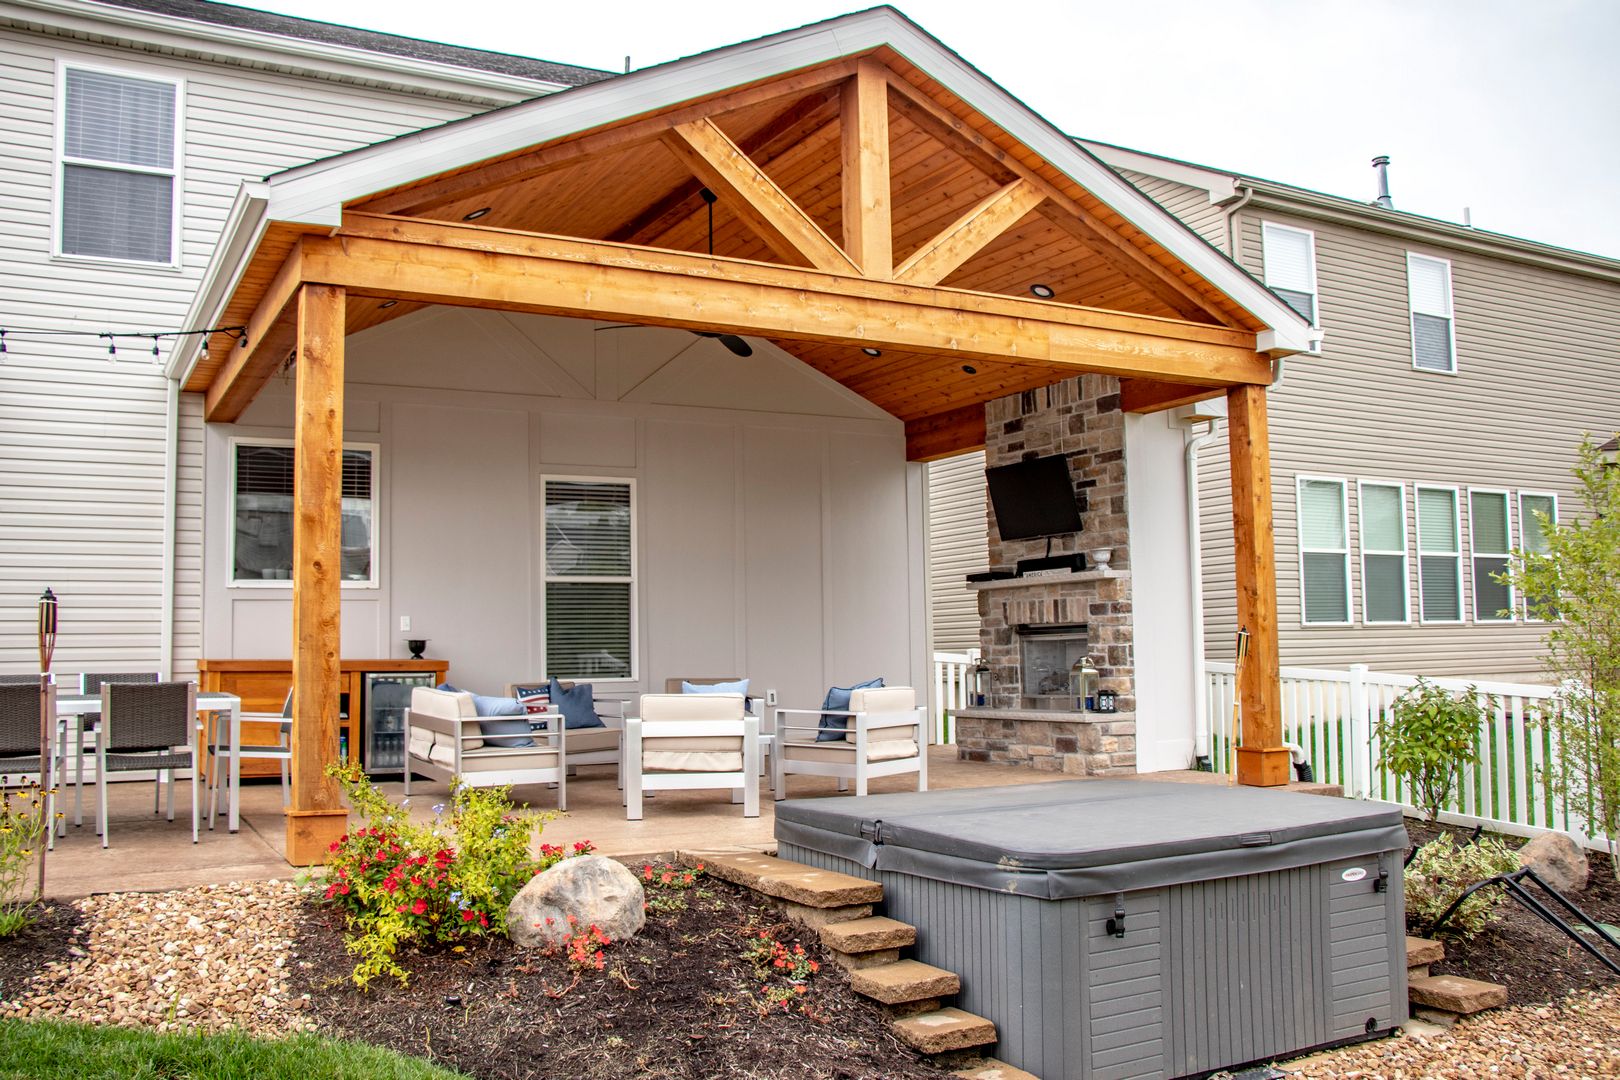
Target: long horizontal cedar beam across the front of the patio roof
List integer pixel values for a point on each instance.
(490, 268)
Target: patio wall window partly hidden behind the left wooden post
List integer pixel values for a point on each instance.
(262, 529)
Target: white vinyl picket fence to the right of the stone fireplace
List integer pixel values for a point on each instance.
(1332, 716)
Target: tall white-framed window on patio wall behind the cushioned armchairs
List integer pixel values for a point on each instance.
(590, 577)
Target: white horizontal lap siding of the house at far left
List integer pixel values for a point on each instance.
(82, 433)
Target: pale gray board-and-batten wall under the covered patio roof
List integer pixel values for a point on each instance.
(780, 527)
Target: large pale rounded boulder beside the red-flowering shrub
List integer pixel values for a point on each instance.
(597, 891)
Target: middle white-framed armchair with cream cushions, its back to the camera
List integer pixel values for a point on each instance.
(693, 741)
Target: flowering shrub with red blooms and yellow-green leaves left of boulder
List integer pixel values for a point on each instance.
(401, 883)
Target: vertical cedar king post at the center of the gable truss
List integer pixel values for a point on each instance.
(869, 229)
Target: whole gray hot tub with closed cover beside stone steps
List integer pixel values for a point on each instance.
(1133, 929)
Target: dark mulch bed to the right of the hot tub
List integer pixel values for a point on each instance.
(1535, 961)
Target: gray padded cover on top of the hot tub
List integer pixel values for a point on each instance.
(1091, 838)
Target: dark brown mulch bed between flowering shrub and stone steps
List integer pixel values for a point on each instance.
(676, 1001)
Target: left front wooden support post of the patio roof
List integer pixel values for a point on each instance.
(317, 815)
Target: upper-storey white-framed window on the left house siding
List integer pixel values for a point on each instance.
(117, 172)
